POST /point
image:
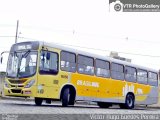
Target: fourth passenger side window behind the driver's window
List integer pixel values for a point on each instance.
(117, 71)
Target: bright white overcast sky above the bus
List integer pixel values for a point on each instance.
(85, 23)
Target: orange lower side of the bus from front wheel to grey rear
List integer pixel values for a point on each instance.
(109, 90)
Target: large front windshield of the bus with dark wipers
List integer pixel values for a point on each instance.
(22, 64)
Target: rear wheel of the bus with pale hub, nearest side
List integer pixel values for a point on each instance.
(129, 103)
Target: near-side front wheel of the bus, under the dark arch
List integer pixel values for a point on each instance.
(65, 97)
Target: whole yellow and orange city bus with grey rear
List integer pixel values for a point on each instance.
(49, 72)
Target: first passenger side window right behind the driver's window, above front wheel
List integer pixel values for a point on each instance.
(68, 61)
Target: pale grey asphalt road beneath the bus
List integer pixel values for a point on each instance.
(8, 106)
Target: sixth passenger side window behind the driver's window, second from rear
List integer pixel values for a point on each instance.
(142, 76)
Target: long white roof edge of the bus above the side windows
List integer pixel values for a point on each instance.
(107, 58)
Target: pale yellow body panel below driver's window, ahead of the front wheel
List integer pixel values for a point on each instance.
(50, 86)
